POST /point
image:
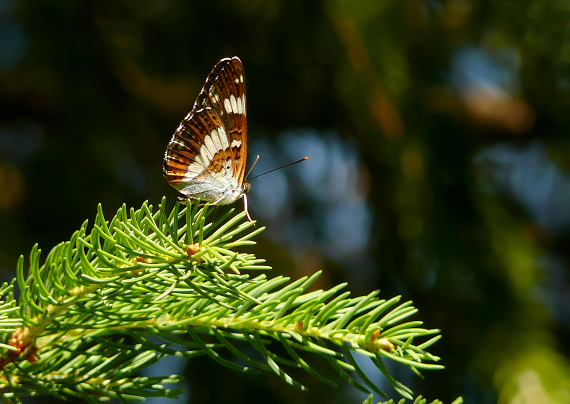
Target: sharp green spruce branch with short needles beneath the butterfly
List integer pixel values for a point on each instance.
(110, 302)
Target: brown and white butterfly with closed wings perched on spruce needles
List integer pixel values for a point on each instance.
(206, 157)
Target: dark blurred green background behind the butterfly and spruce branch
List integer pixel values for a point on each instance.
(437, 133)
